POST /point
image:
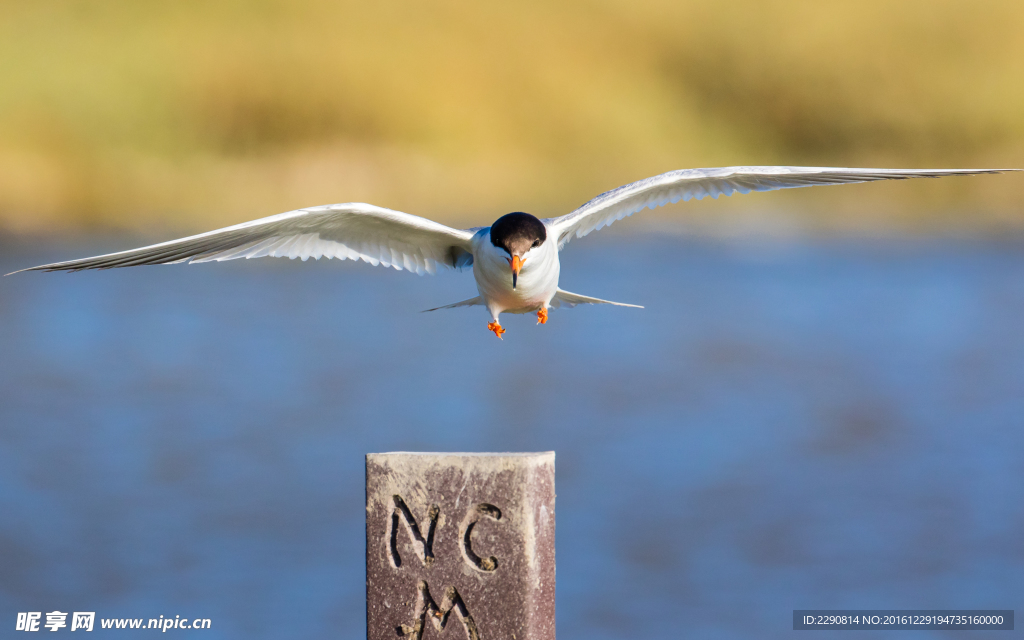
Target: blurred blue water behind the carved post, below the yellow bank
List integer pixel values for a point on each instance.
(803, 424)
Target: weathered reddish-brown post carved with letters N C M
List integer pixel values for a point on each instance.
(463, 541)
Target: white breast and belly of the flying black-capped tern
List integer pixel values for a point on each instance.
(538, 279)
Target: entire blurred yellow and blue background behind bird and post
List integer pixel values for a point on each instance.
(821, 407)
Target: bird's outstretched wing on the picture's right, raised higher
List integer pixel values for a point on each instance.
(699, 184)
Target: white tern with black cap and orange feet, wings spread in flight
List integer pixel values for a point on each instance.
(516, 261)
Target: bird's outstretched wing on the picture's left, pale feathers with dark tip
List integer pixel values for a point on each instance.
(349, 232)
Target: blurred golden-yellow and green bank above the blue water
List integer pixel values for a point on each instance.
(197, 114)
